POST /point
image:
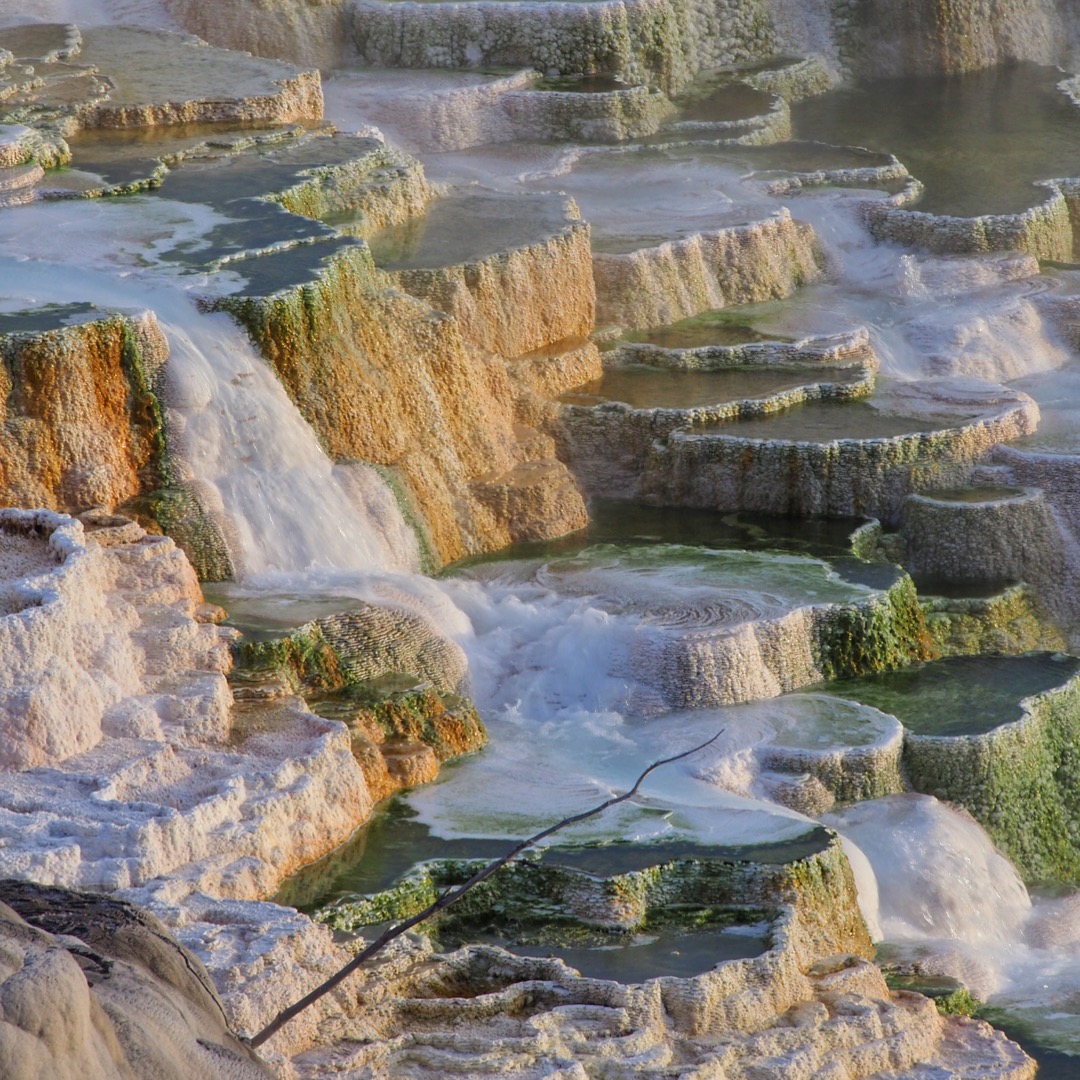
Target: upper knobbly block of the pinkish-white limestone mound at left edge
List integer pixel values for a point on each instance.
(82, 664)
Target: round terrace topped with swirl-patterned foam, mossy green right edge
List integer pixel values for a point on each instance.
(697, 628)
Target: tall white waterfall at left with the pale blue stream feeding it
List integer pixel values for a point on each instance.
(286, 507)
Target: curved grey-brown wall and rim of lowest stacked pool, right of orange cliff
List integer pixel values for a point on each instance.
(845, 477)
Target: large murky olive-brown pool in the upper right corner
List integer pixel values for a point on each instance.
(978, 142)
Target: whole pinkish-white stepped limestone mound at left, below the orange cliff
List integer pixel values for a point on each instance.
(125, 765)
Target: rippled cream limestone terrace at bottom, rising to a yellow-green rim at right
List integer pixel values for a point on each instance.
(795, 1011)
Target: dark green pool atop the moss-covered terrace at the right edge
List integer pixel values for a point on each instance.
(960, 696)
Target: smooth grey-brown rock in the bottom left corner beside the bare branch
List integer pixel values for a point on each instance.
(97, 990)
